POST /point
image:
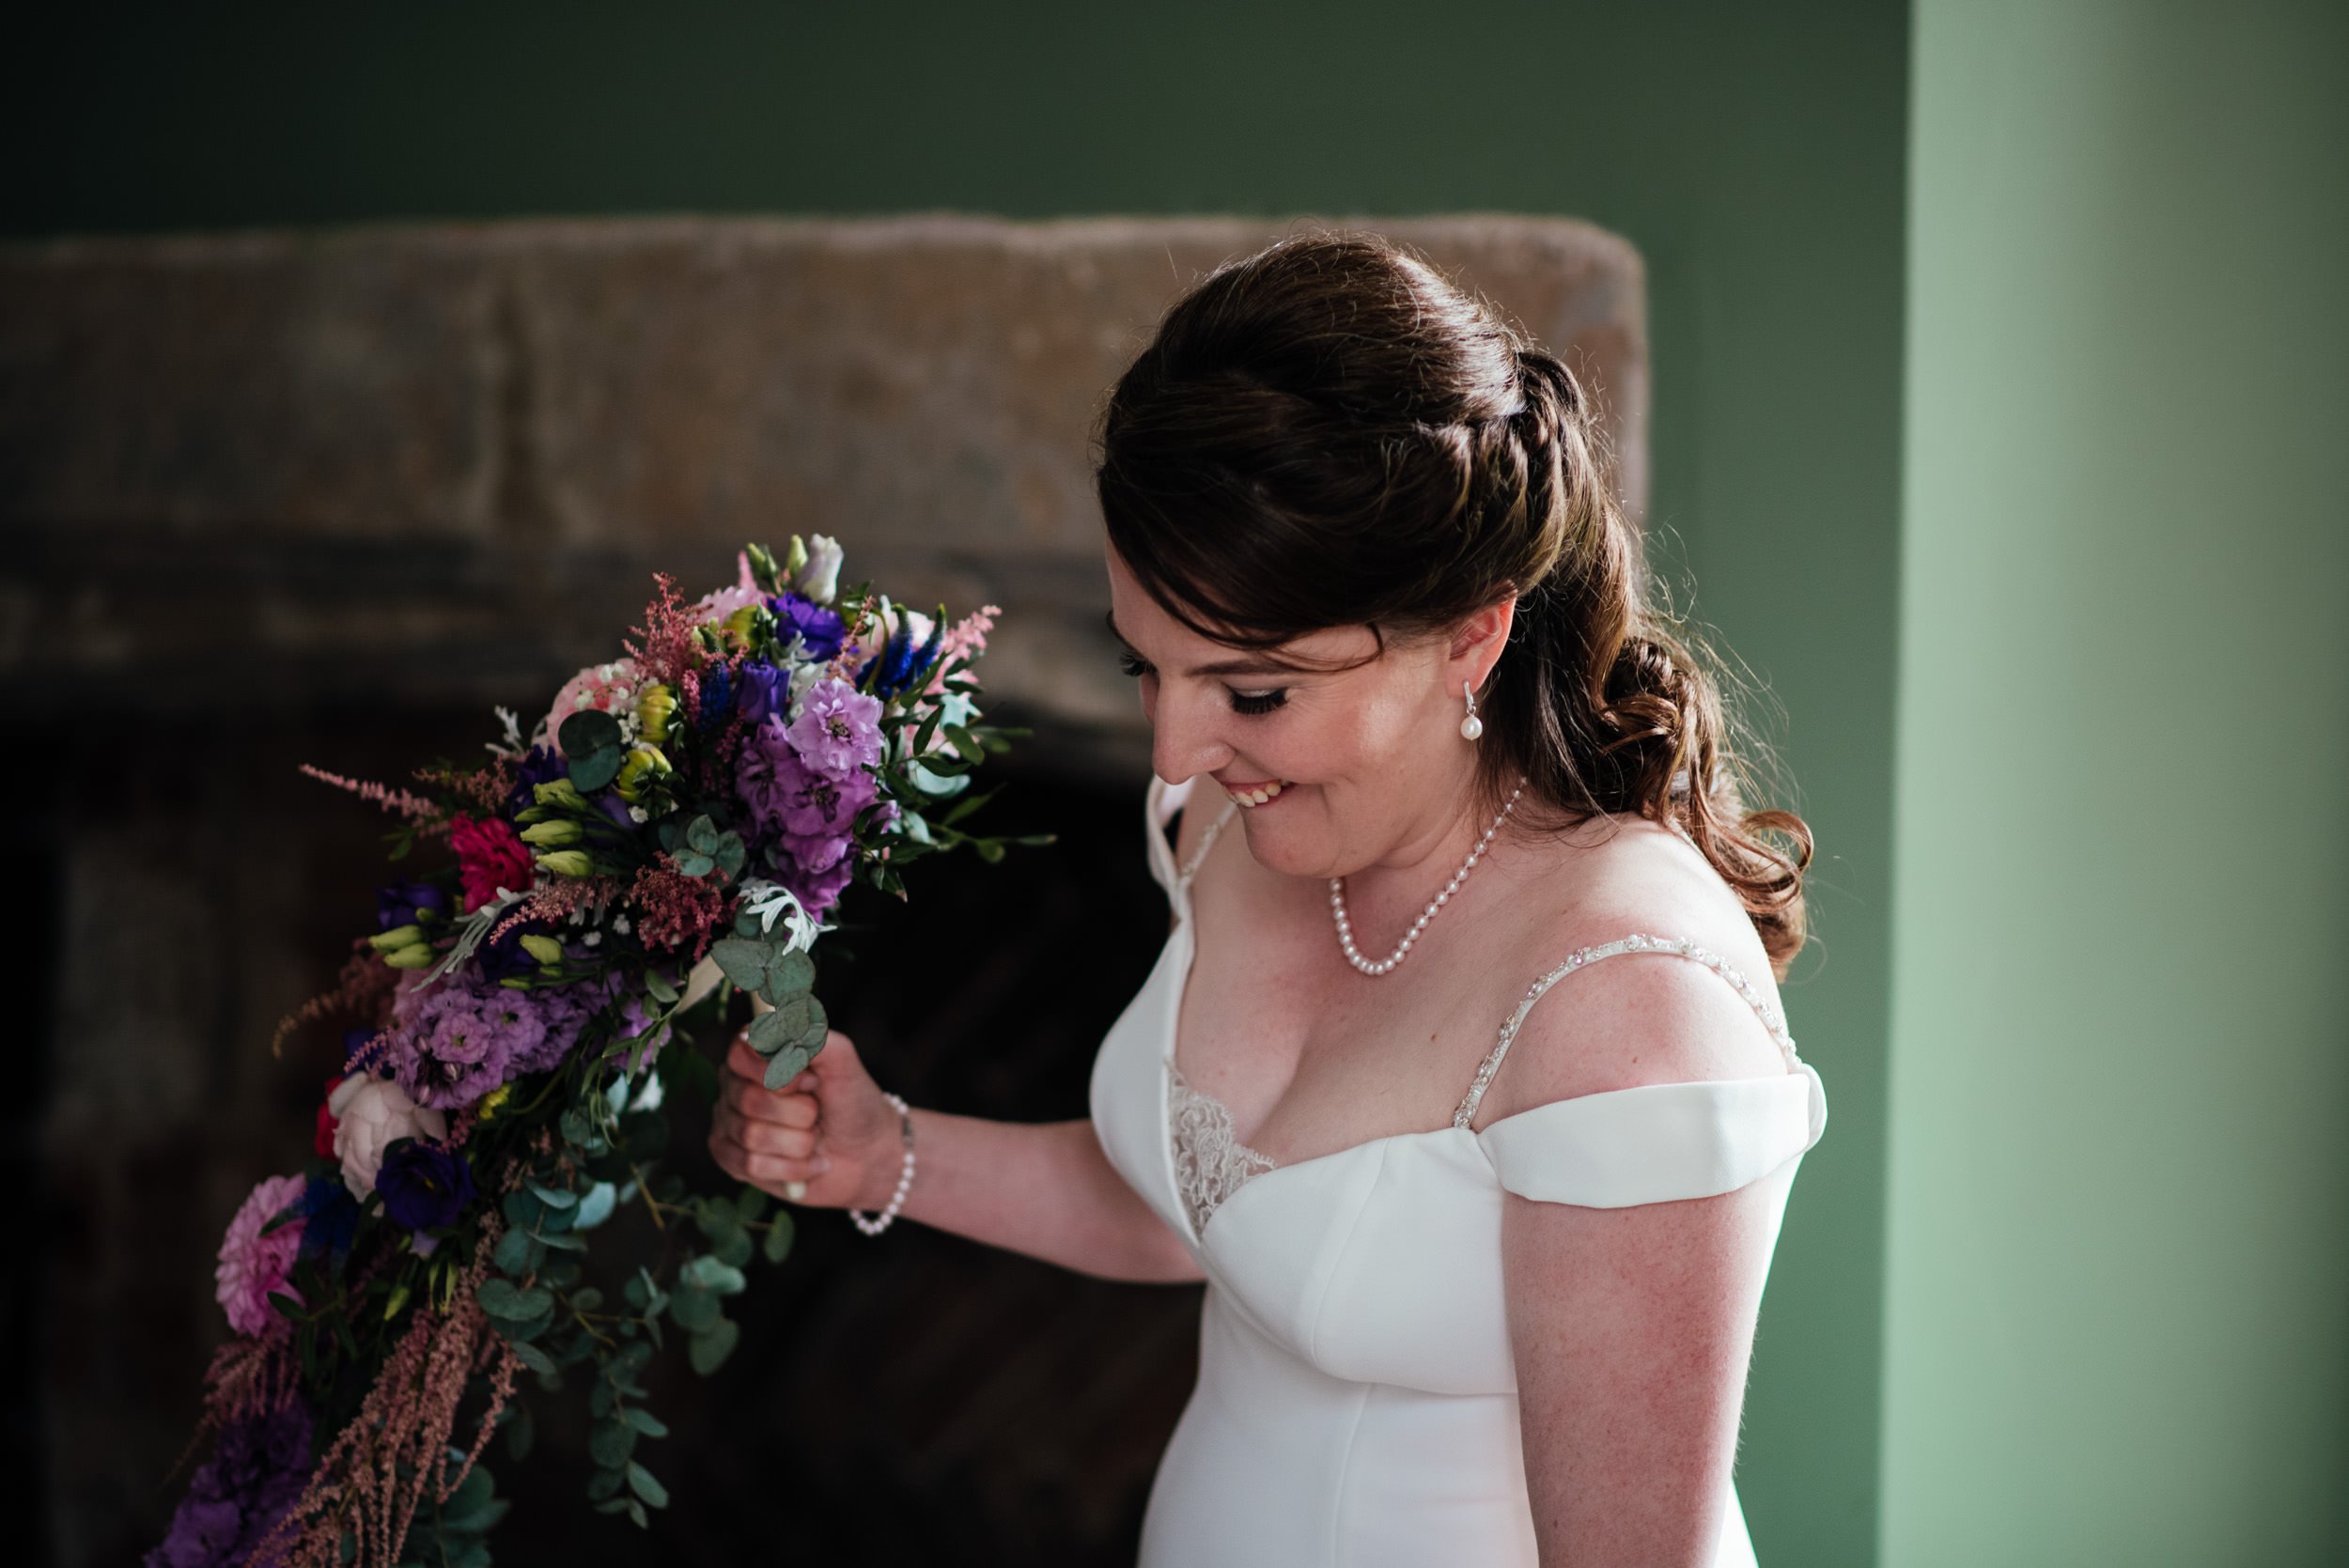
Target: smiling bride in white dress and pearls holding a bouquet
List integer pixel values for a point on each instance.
(1483, 1262)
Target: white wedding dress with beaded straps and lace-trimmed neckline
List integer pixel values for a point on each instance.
(1357, 1403)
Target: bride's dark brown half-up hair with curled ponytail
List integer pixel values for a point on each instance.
(1331, 433)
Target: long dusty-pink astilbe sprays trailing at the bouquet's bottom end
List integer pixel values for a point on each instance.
(403, 1424)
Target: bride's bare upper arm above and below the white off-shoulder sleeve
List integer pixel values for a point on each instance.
(1631, 1327)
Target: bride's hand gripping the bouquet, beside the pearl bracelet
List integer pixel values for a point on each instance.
(828, 1130)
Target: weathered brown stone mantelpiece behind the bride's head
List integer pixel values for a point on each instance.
(438, 466)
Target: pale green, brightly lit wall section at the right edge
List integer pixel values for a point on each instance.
(2120, 1114)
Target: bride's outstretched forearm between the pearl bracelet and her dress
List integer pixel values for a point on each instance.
(1044, 1191)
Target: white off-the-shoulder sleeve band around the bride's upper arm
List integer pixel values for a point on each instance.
(1660, 1142)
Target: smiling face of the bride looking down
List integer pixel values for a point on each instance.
(1338, 759)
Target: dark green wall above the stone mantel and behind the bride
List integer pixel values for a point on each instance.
(1754, 154)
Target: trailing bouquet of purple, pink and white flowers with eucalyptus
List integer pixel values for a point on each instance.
(671, 834)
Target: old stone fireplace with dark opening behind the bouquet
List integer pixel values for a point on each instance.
(325, 499)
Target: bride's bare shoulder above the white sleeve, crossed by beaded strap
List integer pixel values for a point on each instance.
(1641, 1018)
